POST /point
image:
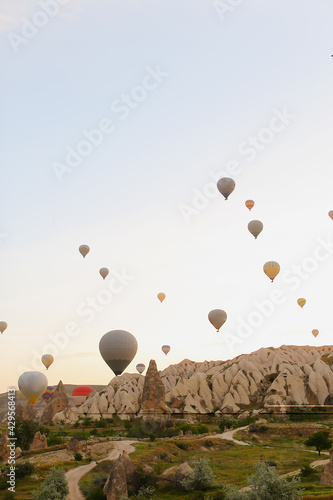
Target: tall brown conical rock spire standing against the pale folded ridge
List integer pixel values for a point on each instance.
(153, 394)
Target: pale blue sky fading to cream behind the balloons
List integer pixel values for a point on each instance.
(223, 81)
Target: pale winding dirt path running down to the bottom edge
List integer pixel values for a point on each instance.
(73, 476)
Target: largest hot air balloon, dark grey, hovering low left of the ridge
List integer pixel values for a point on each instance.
(118, 348)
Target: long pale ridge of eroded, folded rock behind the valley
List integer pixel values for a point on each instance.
(269, 376)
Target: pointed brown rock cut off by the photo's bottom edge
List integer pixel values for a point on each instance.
(123, 479)
